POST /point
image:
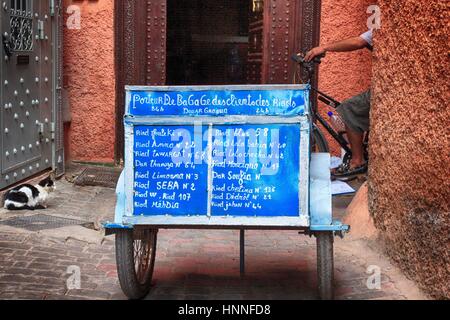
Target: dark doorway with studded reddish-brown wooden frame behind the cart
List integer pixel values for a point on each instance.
(195, 42)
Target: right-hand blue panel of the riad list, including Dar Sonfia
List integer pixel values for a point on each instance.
(267, 183)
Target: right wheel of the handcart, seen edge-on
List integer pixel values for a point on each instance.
(325, 265)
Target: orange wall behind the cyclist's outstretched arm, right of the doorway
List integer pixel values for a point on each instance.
(343, 75)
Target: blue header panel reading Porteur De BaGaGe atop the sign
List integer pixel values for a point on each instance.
(217, 103)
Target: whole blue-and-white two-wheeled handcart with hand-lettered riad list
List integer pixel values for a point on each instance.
(219, 157)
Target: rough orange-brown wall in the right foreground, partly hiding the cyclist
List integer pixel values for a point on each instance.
(409, 186)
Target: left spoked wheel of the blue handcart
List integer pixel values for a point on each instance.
(135, 257)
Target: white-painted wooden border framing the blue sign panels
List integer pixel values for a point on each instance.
(304, 154)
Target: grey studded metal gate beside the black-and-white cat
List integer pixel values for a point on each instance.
(31, 73)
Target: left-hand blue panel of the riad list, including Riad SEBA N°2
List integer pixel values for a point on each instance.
(166, 181)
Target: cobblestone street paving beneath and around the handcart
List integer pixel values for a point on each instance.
(190, 264)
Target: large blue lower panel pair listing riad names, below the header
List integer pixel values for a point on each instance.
(171, 170)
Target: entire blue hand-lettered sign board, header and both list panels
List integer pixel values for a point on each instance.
(218, 151)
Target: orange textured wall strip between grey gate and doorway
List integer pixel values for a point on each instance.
(90, 81)
